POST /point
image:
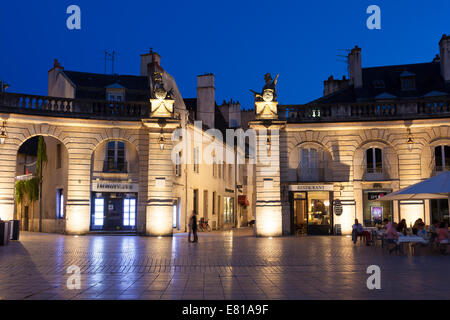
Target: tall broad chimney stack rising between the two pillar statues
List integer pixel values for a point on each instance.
(206, 99)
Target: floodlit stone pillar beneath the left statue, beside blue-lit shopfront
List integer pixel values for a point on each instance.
(160, 177)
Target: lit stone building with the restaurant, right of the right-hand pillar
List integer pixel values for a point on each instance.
(383, 129)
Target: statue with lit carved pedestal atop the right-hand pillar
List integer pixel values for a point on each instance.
(266, 101)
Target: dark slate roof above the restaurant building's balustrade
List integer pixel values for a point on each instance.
(386, 82)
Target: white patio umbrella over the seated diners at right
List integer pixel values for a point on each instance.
(437, 187)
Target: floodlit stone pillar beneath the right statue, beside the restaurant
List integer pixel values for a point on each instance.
(268, 193)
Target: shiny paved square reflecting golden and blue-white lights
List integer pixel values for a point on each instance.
(223, 265)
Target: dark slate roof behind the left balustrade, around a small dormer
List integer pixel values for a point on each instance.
(93, 85)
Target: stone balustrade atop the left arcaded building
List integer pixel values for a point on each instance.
(78, 108)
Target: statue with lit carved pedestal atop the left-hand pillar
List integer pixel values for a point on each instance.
(162, 100)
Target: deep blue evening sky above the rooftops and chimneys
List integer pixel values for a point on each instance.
(238, 41)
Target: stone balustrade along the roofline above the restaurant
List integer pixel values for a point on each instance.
(398, 109)
